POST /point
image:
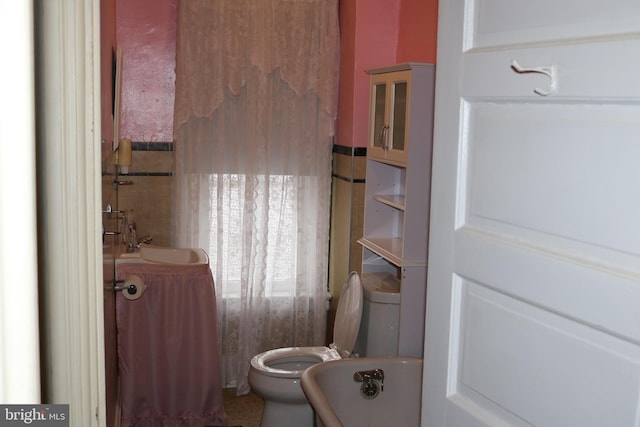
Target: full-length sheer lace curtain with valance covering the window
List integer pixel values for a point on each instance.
(256, 99)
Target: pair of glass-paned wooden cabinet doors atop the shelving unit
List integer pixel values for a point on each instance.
(388, 131)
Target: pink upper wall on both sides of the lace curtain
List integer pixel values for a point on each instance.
(373, 33)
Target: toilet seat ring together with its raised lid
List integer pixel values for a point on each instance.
(347, 325)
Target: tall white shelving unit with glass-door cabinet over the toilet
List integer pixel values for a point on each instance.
(398, 183)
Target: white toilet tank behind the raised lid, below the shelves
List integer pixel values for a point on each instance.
(378, 334)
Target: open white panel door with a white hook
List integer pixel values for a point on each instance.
(533, 298)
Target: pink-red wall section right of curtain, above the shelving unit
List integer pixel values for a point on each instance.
(377, 33)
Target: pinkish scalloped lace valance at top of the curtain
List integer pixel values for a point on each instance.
(219, 42)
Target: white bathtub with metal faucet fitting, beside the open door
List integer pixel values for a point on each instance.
(337, 401)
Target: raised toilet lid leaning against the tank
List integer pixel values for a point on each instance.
(348, 315)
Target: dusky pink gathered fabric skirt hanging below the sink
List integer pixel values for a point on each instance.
(167, 348)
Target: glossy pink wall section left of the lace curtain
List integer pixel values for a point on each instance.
(146, 32)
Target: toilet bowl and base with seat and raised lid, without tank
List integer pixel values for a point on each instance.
(275, 374)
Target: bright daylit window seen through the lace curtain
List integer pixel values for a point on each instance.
(274, 201)
